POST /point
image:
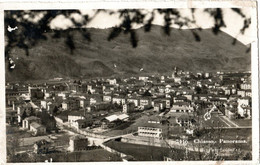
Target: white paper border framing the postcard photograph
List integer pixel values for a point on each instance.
(112, 4)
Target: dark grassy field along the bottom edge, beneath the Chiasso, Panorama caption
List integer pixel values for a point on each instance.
(152, 153)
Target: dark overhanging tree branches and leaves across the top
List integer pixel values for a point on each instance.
(30, 32)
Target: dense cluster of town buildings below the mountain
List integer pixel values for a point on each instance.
(105, 103)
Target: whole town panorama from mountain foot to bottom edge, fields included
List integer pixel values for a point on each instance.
(182, 116)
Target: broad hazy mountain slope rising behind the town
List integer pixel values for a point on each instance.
(156, 53)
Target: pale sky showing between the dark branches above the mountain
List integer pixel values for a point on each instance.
(234, 22)
